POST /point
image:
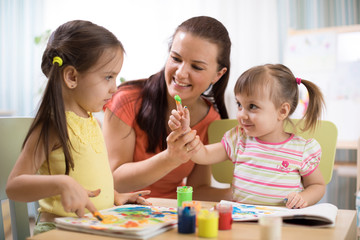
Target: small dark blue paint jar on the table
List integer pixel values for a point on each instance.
(186, 219)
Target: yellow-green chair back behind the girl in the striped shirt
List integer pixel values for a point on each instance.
(325, 134)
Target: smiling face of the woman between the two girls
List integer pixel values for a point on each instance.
(191, 67)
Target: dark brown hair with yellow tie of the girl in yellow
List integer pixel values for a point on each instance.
(79, 44)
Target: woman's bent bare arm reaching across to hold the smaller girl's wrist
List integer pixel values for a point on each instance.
(128, 175)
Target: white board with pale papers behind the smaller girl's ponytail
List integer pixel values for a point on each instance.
(330, 59)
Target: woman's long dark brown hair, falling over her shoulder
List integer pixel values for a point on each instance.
(152, 114)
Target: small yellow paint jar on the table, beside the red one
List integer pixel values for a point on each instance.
(208, 223)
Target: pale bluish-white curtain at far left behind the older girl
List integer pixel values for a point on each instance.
(20, 22)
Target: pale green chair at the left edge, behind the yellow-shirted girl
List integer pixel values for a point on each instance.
(13, 132)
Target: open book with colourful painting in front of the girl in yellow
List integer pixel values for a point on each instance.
(127, 221)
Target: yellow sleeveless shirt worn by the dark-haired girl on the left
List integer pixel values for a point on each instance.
(91, 164)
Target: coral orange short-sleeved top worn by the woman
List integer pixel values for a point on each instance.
(125, 105)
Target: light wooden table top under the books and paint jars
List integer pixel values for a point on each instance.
(345, 228)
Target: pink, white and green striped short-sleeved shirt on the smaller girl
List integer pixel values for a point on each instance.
(265, 173)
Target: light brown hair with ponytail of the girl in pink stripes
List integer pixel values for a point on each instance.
(282, 86)
